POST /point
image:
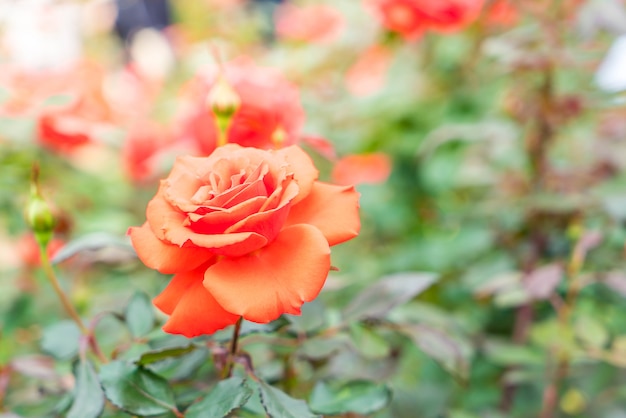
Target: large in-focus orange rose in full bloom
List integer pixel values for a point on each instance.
(246, 233)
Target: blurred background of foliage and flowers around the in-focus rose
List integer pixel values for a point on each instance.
(487, 140)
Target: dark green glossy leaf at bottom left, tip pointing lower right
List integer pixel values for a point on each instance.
(136, 390)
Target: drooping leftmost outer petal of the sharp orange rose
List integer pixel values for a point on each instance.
(164, 257)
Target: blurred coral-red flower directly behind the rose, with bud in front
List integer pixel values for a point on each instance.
(270, 115)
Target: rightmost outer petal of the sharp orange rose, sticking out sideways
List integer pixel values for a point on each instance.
(332, 209)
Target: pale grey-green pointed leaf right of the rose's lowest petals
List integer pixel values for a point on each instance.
(377, 300)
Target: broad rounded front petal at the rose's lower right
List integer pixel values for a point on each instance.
(277, 279)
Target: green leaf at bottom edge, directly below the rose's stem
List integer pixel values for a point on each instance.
(226, 396)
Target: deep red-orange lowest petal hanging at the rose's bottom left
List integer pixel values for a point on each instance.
(193, 309)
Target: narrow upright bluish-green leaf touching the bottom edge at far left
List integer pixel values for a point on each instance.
(88, 394)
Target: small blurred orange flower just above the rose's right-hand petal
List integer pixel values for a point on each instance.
(372, 168)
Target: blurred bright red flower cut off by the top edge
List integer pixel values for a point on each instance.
(411, 18)
